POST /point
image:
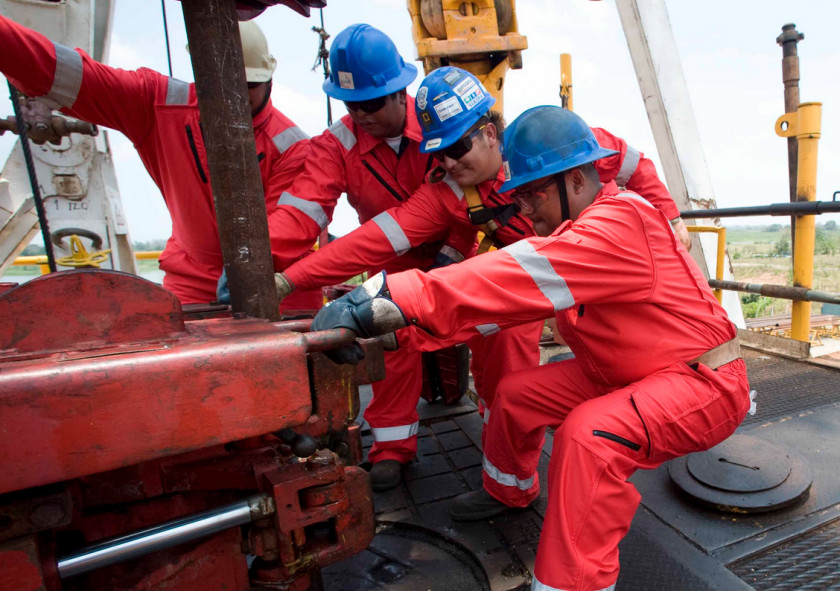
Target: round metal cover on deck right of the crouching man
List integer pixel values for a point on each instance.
(743, 474)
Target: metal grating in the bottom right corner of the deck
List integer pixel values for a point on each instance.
(808, 563)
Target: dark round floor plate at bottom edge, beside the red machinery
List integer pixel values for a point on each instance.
(407, 558)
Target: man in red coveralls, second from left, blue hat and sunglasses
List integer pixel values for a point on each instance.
(373, 155)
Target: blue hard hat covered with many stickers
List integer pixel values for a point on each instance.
(449, 102)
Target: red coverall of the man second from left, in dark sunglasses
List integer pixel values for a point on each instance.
(375, 177)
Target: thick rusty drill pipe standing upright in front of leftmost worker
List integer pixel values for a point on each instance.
(216, 54)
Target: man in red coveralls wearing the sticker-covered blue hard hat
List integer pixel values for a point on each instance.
(465, 144)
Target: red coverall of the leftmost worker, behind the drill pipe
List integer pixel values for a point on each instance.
(160, 116)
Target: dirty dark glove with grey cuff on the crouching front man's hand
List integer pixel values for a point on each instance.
(367, 310)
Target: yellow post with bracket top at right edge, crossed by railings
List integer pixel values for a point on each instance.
(805, 125)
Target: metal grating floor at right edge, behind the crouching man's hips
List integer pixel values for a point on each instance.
(786, 387)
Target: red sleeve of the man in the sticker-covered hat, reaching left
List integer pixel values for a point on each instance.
(424, 217)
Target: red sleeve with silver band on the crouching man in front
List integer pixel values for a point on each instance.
(600, 258)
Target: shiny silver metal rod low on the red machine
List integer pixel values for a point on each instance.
(165, 535)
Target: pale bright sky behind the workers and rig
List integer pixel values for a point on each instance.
(731, 63)
